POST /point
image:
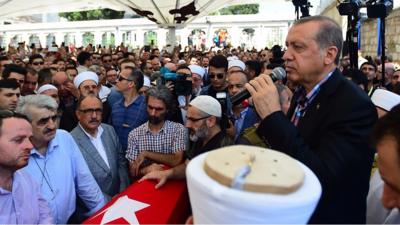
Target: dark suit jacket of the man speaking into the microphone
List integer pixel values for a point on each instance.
(332, 140)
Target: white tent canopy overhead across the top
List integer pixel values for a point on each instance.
(165, 13)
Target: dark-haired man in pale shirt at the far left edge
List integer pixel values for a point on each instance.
(20, 198)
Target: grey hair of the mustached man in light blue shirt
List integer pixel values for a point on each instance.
(38, 101)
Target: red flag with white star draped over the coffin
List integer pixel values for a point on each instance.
(142, 203)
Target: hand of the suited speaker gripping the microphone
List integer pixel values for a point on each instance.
(265, 95)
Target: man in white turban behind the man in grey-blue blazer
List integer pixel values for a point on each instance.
(87, 84)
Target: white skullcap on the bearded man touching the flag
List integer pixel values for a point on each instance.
(208, 105)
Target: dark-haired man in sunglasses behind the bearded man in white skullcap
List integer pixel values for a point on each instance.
(217, 75)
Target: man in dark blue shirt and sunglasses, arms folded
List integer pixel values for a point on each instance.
(129, 112)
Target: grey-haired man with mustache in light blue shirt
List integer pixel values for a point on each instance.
(56, 163)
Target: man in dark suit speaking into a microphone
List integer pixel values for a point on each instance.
(328, 123)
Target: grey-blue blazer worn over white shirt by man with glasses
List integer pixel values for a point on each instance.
(111, 180)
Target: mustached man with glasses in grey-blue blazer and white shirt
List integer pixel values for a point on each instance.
(101, 149)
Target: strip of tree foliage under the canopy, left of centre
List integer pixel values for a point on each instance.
(96, 14)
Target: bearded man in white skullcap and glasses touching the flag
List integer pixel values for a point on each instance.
(203, 117)
